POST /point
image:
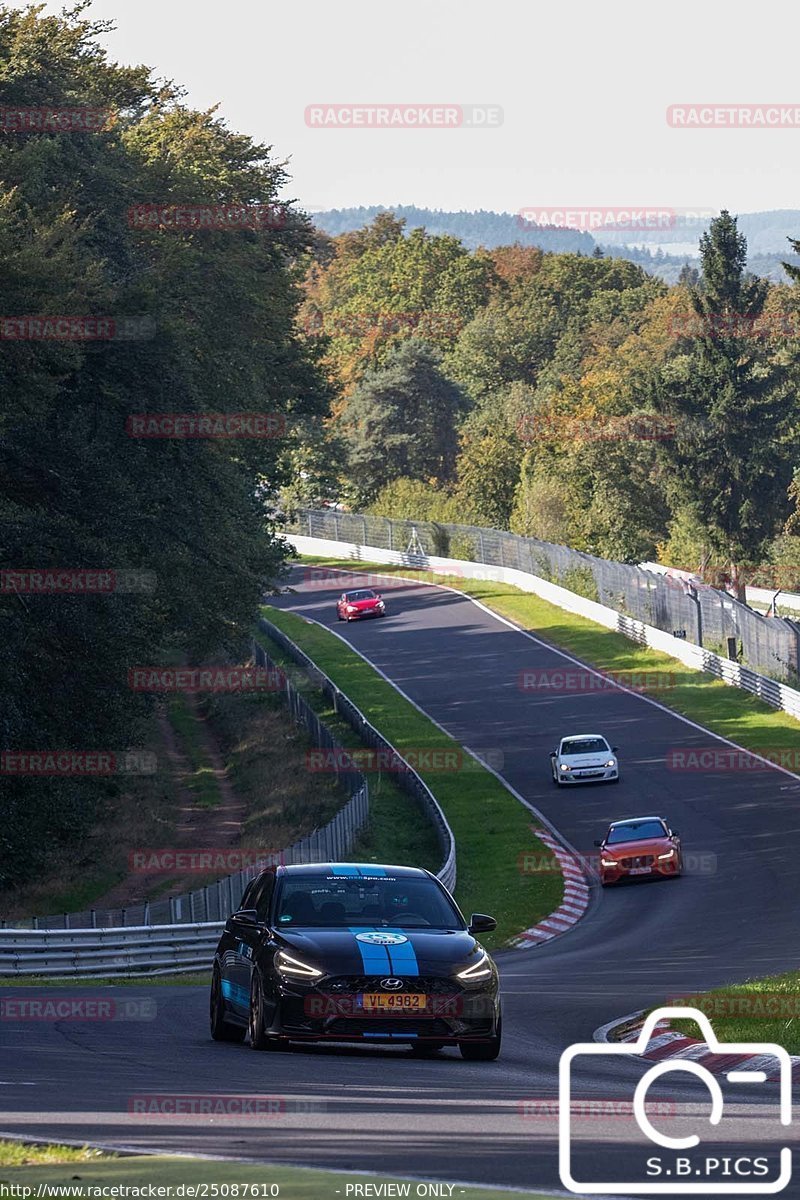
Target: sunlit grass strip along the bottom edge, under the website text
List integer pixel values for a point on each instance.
(294, 1183)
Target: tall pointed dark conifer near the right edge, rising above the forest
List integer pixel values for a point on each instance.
(729, 397)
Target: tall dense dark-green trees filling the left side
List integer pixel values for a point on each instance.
(76, 490)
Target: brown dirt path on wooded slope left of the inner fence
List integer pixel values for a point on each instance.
(196, 827)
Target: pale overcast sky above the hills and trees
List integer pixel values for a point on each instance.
(584, 86)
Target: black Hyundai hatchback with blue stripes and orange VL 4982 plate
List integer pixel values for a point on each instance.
(342, 952)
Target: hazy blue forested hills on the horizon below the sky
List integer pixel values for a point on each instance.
(660, 251)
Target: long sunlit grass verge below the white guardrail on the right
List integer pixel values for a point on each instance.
(730, 712)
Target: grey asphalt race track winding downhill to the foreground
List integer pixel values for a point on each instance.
(733, 916)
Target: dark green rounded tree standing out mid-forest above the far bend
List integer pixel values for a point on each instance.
(401, 422)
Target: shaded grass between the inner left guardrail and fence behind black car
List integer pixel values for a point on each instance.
(398, 831)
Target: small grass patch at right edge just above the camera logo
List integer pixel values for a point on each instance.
(757, 1011)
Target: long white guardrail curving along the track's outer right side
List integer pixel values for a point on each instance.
(778, 695)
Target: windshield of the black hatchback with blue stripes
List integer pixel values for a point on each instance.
(333, 902)
